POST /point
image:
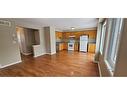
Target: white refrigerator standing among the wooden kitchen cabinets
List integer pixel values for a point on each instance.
(83, 43)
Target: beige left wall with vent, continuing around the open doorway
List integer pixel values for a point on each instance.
(9, 52)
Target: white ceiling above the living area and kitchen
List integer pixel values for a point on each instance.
(61, 24)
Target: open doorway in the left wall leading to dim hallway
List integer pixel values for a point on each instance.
(27, 38)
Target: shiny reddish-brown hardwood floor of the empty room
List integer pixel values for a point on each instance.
(61, 64)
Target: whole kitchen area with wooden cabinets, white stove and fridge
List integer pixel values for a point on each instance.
(71, 40)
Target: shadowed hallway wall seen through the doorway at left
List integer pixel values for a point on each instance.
(26, 39)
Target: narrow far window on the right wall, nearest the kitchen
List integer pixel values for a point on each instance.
(102, 37)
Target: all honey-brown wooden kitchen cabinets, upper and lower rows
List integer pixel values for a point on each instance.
(63, 37)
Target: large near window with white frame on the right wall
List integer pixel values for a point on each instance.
(114, 42)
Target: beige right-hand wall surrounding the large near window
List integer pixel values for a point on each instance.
(121, 61)
